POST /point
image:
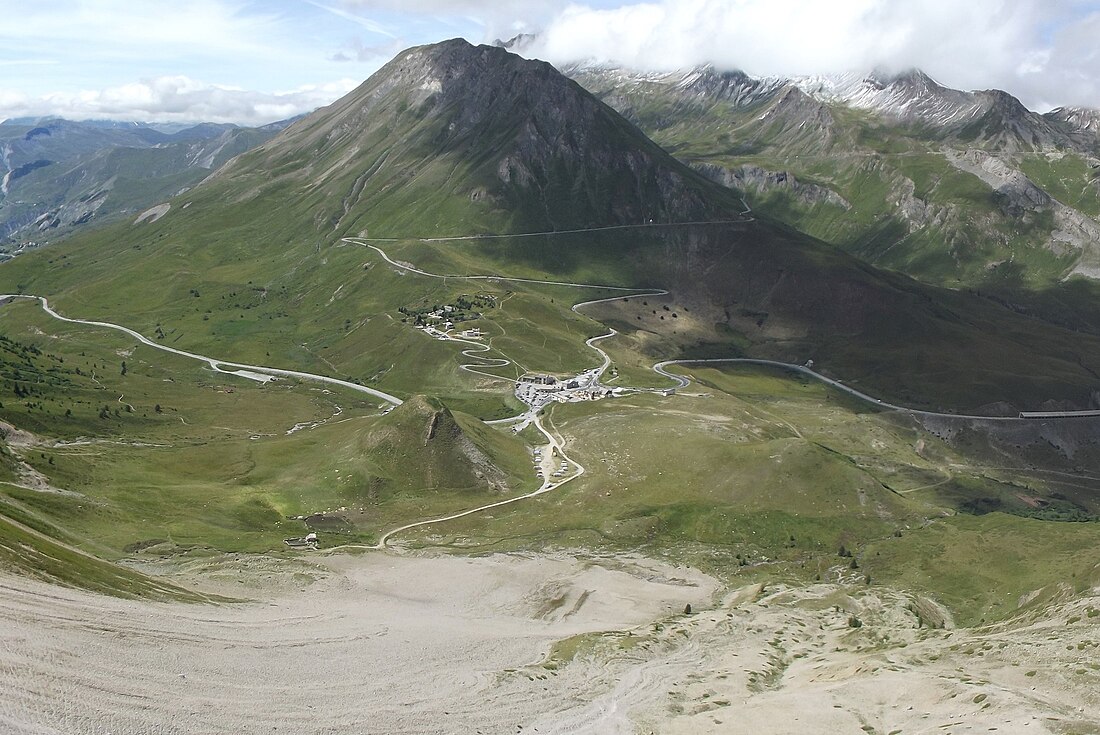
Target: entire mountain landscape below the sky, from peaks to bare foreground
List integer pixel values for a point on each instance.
(498, 399)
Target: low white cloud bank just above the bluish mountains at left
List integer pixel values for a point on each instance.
(177, 100)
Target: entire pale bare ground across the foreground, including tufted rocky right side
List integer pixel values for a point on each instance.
(532, 644)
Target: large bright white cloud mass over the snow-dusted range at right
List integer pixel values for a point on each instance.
(1044, 51)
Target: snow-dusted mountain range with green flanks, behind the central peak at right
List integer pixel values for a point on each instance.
(953, 188)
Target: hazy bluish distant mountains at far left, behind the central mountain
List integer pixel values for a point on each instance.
(58, 175)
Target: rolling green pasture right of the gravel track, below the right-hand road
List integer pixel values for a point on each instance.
(760, 476)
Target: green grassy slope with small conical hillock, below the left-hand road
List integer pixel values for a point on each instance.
(169, 460)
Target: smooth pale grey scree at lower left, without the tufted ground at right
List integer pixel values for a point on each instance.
(378, 644)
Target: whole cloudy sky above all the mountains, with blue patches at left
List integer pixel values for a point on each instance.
(251, 62)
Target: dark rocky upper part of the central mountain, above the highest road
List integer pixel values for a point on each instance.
(510, 142)
